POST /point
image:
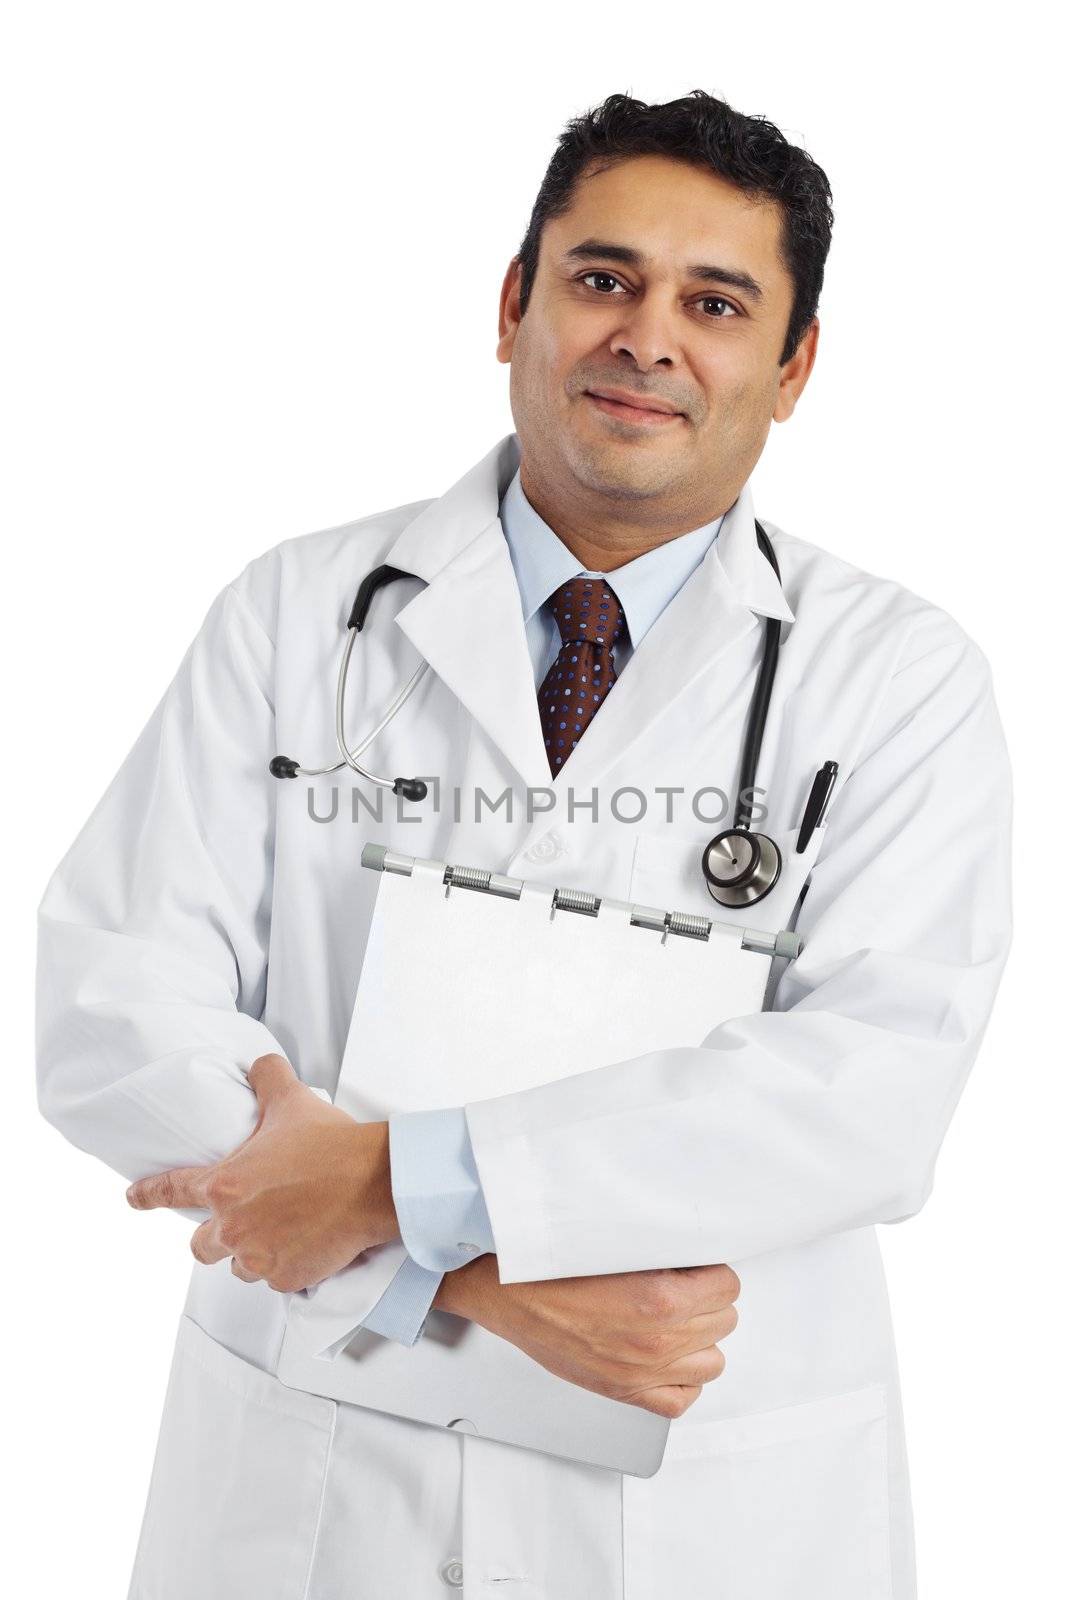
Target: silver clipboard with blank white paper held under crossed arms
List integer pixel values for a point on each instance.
(452, 1009)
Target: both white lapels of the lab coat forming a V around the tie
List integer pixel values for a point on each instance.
(470, 623)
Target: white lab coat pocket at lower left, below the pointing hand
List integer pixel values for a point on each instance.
(238, 1484)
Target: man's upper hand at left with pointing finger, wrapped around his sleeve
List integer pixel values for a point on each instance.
(306, 1193)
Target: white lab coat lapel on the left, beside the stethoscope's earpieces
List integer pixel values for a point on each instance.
(468, 623)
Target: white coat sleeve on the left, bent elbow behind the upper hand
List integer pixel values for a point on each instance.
(154, 929)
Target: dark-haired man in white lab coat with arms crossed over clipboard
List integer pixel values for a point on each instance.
(201, 948)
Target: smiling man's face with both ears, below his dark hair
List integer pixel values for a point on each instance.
(663, 284)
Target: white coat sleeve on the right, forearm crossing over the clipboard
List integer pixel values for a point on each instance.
(828, 1111)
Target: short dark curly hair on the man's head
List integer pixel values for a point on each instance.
(746, 151)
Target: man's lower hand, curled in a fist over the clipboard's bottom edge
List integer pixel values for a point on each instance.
(645, 1338)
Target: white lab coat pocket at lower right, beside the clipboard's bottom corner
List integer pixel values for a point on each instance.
(786, 1505)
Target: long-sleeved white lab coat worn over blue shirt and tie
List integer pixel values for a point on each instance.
(204, 918)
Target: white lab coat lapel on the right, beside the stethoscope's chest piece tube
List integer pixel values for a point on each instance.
(717, 610)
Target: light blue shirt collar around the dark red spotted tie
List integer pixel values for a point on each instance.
(644, 586)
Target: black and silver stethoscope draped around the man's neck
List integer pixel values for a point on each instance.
(740, 866)
